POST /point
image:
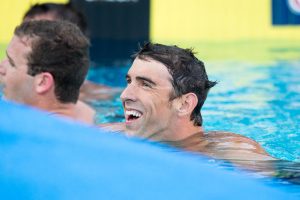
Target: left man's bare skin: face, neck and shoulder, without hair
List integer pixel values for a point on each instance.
(21, 87)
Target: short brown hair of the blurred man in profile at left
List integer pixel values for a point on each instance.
(60, 48)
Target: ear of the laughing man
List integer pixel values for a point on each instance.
(187, 103)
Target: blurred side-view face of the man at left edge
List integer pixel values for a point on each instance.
(17, 84)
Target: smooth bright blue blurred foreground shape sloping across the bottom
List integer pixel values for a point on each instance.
(43, 157)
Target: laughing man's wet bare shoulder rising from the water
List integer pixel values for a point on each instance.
(237, 146)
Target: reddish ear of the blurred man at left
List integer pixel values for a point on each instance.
(44, 82)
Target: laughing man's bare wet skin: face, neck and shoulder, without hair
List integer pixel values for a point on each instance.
(150, 113)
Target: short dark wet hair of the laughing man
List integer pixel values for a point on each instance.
(188, 73)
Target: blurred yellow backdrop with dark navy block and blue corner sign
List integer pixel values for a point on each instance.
(258, 30)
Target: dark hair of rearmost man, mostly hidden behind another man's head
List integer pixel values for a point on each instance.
(60, 11)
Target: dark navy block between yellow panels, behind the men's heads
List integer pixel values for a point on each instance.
(116, 28)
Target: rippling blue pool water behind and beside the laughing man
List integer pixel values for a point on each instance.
(260, 101)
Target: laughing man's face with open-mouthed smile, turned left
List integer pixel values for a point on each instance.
(146, 99)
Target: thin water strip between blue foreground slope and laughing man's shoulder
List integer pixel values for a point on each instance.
(278, 173)
